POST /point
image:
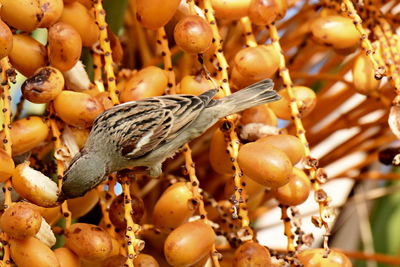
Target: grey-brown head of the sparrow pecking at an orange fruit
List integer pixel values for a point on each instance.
(86, 171)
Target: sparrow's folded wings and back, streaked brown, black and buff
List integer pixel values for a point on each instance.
(138, 127)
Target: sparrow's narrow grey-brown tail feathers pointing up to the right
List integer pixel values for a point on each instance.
(256, 94)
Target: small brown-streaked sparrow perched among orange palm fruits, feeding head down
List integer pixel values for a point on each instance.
(144, 133)
